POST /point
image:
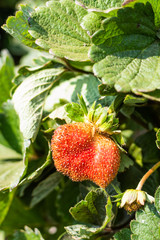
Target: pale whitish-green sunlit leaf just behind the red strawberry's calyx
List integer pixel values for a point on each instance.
(69, 86)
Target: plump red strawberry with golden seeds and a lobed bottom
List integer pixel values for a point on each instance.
(82, 153)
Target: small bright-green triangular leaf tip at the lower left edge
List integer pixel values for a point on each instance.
(5, 202)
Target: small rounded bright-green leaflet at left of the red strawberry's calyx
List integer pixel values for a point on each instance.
(75, 112)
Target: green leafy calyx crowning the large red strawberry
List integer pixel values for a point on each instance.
(103, 119)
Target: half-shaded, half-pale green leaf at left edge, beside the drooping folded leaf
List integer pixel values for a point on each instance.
(13, 160)
